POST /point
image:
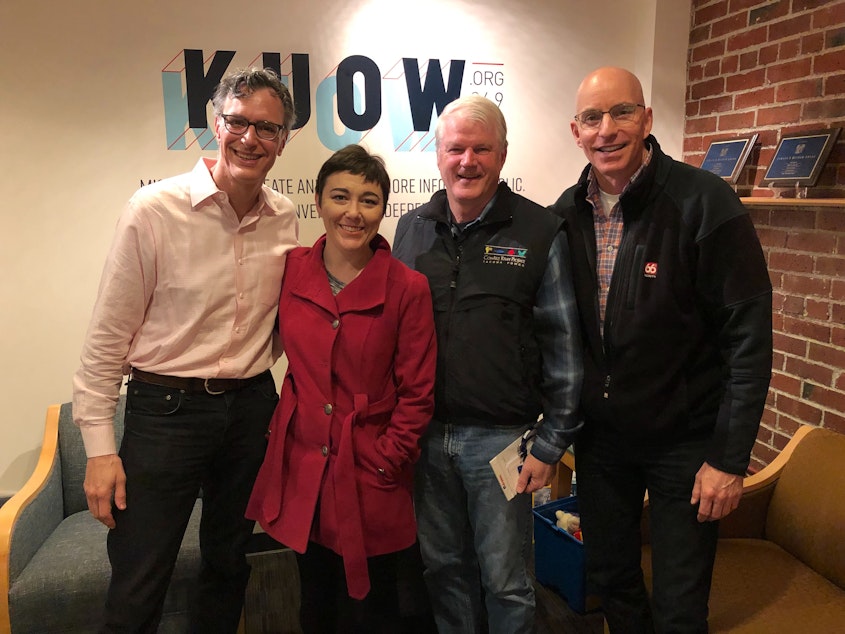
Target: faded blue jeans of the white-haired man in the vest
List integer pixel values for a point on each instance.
(471, 537)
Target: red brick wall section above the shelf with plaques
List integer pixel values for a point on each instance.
(769, 67)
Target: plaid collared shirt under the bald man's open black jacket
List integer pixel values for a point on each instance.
(608, 229)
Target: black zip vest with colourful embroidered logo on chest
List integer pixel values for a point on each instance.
(483, 284)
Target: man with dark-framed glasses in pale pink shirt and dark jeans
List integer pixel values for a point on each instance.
(186, 307)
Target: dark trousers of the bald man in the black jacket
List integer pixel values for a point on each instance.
(613, 475)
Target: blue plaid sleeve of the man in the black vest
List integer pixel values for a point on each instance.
(558, 336)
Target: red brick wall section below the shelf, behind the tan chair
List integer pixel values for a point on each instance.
(805, 248)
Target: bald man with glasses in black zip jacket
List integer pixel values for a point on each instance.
(675, 304)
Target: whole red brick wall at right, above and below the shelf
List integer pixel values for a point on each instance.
(776, 67)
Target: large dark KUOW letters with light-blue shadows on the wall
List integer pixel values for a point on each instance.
(410, 93)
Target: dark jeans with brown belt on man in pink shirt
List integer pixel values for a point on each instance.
(175, 444)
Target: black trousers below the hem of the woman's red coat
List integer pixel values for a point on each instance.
(396, 603)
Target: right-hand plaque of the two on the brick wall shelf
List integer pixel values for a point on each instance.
(799, 158)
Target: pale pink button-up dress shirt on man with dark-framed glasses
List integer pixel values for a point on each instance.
(187, 290)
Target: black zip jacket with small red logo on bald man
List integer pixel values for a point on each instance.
(687, 346)
